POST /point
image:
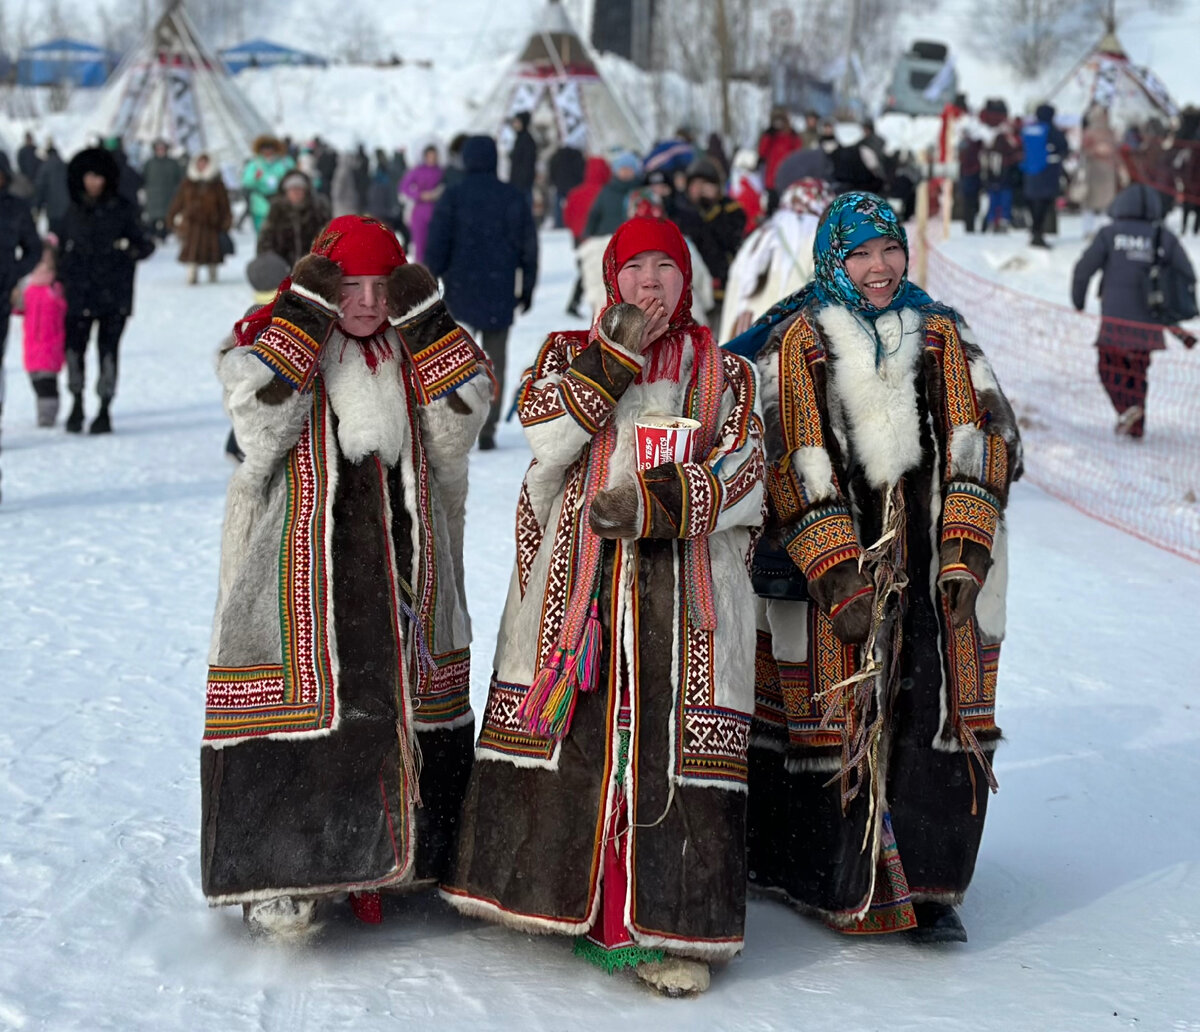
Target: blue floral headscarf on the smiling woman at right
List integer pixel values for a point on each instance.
(850, 221)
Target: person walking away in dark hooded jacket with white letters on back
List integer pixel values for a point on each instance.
(1123, 254)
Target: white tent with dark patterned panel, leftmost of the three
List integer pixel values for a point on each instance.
(172, 87)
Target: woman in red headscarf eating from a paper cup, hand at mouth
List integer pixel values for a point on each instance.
(608, 800)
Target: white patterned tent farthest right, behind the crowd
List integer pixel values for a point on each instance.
(1108, 79)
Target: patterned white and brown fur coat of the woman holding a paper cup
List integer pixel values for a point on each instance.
(533, 825)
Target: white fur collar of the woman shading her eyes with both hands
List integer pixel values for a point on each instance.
(371, 407)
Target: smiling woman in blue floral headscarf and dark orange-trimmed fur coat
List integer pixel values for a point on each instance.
(891, 449)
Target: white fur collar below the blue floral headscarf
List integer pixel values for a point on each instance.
(873, 409)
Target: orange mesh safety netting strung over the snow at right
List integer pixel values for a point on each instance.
(1048, 364)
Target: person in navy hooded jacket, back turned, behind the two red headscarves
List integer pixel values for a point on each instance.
(482, 238)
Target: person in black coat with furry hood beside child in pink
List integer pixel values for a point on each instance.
(103, 242)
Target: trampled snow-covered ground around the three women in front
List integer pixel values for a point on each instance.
(1085, 910)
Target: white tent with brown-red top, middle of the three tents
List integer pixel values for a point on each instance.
(557, 79)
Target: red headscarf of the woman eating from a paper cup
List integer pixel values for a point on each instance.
(645, 233)
